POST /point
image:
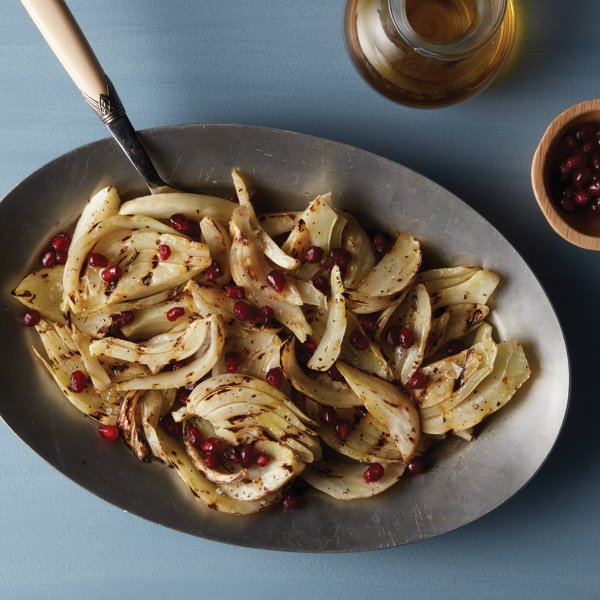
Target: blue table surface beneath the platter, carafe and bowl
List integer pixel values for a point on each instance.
(284, 64)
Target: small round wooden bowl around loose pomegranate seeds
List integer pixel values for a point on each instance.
(582, 230)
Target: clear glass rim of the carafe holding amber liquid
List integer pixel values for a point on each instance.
(473, 40)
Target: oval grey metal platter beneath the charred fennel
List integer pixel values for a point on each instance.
(468, 479)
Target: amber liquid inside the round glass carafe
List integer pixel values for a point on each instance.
(406, 75)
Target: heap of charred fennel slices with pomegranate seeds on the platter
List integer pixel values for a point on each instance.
(234, 346)
